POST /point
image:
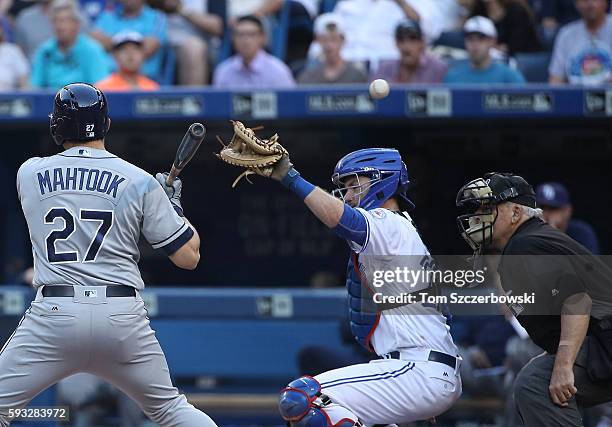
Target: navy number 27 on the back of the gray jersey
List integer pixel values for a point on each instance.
(106, 222)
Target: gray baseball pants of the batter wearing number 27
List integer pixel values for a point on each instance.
(107, 337)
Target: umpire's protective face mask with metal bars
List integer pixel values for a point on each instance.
(476, 226)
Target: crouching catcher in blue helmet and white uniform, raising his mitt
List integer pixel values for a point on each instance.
(417, 376)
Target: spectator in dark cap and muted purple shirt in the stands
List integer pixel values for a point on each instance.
(414, 65)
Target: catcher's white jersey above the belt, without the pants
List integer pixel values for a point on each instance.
(393, 242)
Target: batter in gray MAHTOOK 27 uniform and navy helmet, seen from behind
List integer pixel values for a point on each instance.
(86, 209)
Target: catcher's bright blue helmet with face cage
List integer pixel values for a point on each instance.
(387, 172)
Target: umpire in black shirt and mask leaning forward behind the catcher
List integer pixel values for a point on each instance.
(571, 316)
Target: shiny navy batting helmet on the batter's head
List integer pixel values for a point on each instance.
(80, 113)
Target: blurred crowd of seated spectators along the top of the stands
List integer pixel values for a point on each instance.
(135, 45)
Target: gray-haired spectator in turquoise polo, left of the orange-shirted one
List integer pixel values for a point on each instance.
(69, 56)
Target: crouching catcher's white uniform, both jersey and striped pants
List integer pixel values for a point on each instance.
(411, 388)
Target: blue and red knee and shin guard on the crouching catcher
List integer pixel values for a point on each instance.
(301, 404)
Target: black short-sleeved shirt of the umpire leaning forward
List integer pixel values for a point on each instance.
(541, 259)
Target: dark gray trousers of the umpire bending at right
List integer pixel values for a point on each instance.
(533, 400)
